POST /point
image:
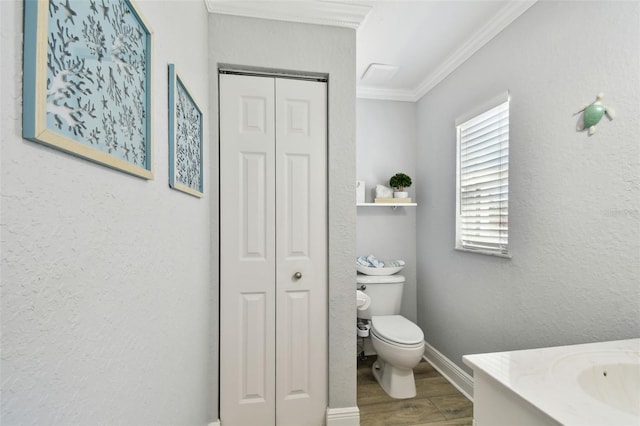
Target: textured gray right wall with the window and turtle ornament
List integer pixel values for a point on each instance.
(574, 208)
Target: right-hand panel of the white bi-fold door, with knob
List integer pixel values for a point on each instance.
(301, 252)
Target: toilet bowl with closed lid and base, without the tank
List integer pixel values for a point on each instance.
(399, 344)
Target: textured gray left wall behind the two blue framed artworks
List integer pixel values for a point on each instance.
(105, 276)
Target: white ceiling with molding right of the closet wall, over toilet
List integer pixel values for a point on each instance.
(426, 40)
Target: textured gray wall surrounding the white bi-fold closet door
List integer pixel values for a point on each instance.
(319, 49)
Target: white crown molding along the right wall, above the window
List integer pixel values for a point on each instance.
(505, 17)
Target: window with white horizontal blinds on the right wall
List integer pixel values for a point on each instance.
(482, 219)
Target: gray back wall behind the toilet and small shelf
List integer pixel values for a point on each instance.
(386, 145)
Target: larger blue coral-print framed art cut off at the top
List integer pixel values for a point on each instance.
(87, 81)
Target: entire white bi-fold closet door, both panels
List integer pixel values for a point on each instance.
(273, 251)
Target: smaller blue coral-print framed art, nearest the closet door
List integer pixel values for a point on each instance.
(185, 138)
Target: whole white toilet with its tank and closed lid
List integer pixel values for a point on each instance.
(398, 342)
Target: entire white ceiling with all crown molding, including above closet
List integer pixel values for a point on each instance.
(425, 39)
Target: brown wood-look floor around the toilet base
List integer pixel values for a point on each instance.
(437, 403)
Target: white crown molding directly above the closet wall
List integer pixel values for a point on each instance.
(308, 12)
